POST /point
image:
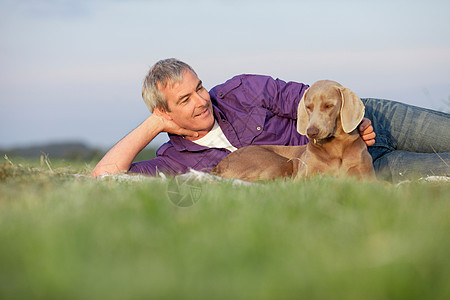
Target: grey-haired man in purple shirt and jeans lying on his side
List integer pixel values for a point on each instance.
(252, 109)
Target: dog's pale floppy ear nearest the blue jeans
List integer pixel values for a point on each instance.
(352, 110)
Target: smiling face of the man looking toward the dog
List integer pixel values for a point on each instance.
(189, 104)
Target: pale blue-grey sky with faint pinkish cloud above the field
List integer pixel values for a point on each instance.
(72, 70)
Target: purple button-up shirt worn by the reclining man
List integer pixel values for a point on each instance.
(250, 109)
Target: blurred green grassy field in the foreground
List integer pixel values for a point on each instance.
(67, 237)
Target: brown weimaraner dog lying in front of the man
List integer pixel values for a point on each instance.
(328, 114)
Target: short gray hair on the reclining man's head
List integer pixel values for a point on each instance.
(160, 74)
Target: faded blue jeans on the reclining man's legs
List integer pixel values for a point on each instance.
(411, 142)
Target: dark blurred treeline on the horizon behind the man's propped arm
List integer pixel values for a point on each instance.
(67, 150)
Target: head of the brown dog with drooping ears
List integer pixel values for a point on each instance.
(323, 105)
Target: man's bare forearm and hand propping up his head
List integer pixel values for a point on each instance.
(119, 158)
